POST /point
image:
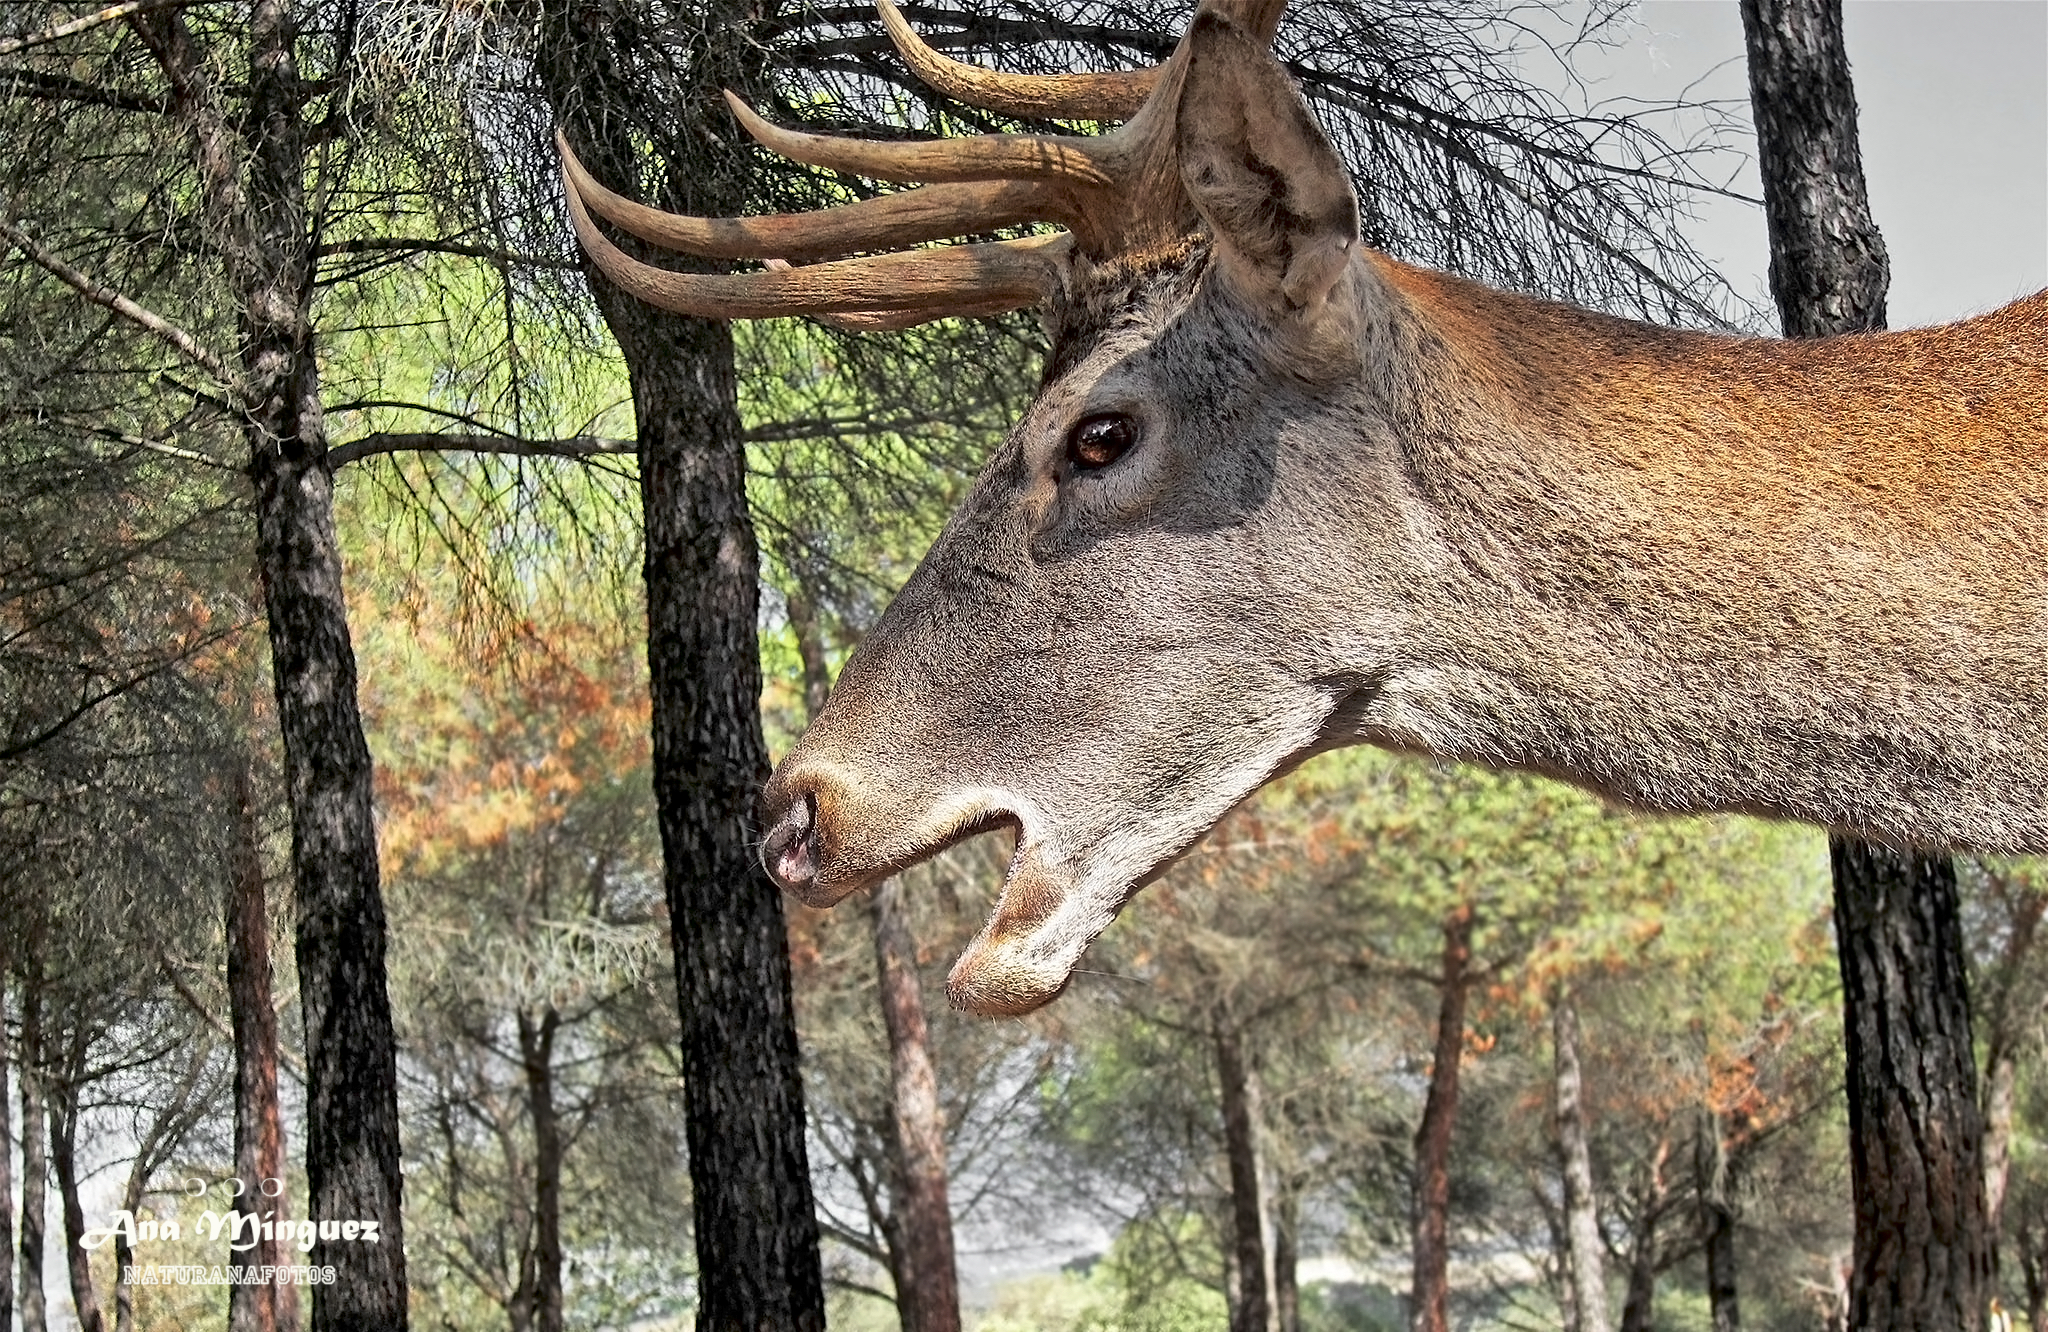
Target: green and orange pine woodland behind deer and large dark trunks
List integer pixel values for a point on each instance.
(1279, 1009)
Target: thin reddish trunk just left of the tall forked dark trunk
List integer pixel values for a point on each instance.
(259, 1120)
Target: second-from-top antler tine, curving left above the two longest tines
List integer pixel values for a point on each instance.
(988, 157)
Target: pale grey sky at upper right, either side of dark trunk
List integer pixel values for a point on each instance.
(1953, 101)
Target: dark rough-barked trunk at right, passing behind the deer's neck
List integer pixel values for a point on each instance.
(1922, 1245)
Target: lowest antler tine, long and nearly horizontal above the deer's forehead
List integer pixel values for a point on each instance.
(998, 276)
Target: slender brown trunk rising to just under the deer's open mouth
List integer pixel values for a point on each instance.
(929, 1292)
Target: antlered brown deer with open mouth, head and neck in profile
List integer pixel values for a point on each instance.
(1281, 495)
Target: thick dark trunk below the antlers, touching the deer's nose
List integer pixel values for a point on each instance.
(757, 1231)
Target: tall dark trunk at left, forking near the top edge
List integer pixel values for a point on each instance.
(253, 179)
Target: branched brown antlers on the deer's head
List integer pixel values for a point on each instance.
(1113, 194)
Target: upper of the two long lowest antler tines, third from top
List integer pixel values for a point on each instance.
(906, 218)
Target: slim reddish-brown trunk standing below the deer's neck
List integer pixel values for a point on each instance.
(1431, 1294)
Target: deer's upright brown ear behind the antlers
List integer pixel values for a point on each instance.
(1261, 171)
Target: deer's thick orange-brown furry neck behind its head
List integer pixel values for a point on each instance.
(1721, 575)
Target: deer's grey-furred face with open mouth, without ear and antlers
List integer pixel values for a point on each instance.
(1052, 667)
